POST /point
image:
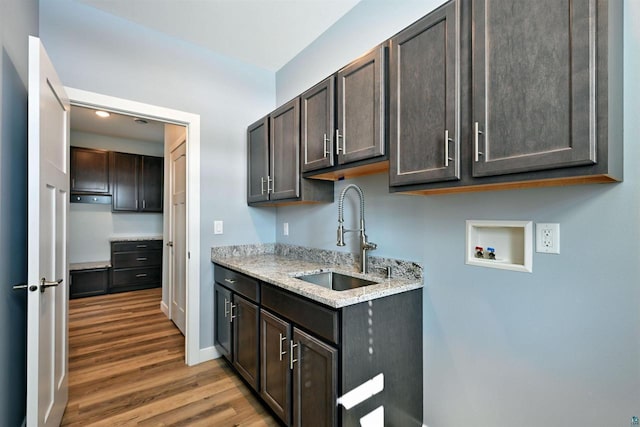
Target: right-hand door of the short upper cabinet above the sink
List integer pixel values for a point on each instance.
(361, 112)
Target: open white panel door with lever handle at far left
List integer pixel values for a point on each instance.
(48, 185)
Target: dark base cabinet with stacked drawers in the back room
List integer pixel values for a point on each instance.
(135, 265)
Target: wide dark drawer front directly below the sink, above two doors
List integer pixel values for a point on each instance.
(320, 320)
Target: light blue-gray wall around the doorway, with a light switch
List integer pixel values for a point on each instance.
(98, 52)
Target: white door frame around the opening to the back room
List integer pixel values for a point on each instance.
(192, 122)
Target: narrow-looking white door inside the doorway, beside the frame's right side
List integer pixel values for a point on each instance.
(178, 230)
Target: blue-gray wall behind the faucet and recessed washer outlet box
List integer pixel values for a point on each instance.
(557, 347)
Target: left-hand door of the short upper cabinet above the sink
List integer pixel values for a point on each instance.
(317, 125)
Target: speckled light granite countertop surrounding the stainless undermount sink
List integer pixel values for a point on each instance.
(281, 271)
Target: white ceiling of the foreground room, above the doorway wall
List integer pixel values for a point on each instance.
(265, 33)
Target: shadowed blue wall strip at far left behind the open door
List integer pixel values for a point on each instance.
(18, 20)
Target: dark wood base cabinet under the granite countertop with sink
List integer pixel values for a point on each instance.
(316, 365)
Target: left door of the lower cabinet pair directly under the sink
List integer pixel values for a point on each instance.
(275, 384)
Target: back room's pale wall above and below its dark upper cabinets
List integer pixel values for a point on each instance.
(92, 226)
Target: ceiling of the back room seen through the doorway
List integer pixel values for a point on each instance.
(116, 125)
